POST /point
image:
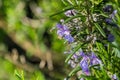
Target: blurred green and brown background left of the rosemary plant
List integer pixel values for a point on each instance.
(29, 47)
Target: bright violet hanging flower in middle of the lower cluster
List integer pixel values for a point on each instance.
(84, 65)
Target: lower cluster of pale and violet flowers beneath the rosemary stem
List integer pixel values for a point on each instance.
(86, 61)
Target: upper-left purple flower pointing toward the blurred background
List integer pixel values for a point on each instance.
(64, 32)
